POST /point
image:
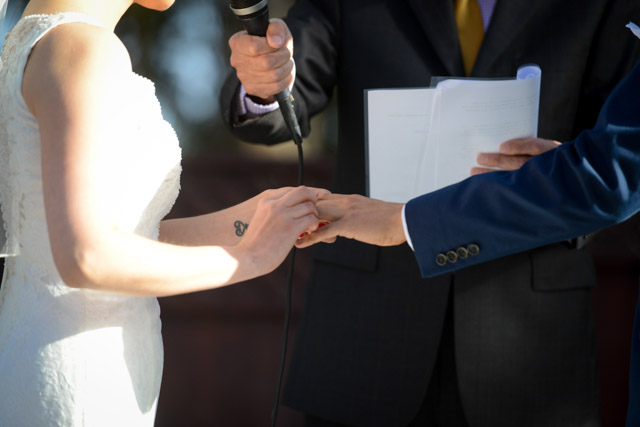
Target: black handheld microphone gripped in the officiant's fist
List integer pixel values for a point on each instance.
(254, 15)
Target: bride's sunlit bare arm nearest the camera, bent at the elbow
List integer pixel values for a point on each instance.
(72, 85)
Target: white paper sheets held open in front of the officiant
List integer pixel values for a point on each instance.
(420, 140)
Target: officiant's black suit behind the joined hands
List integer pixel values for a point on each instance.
(523, 334)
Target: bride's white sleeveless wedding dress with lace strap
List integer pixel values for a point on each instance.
(77, 357)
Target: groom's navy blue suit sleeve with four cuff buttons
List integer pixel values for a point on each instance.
(582, 186)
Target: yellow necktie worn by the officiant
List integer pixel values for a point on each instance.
(470, 31)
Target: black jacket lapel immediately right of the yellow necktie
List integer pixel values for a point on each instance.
(507, 20)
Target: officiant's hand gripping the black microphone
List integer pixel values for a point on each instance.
(264, 65)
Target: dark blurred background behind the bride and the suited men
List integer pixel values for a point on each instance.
(222, 347)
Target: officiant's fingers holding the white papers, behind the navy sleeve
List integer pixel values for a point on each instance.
(513, 154)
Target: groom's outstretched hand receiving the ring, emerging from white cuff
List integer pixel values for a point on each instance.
(357, 217)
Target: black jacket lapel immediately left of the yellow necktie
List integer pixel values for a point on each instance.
(438, 23)
